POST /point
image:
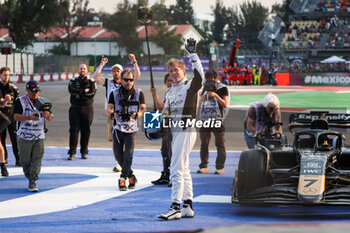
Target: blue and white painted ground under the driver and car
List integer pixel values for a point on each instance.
(82, 196)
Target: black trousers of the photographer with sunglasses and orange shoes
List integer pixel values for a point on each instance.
(123, 149)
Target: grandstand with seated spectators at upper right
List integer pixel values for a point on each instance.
(317, 30)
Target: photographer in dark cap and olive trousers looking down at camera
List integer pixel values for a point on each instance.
(31, 132)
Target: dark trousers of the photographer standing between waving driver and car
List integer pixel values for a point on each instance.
(219, 134)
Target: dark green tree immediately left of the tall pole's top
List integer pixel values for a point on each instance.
(124, 22)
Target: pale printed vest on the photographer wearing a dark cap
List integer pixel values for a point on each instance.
(29, 130)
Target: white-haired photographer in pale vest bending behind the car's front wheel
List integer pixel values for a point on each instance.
(257, 116)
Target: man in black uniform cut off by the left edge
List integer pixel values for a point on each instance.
(7, 88)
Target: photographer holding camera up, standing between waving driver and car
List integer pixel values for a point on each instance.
(213, 104)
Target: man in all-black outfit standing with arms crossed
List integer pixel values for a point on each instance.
(81, 112)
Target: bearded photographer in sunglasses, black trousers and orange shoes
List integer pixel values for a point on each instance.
(125, 105)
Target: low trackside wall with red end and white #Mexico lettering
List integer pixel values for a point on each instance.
(313, 79)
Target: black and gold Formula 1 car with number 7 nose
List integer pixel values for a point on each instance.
(314, 170)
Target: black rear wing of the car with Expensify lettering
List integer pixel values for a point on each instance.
(303, 120)
